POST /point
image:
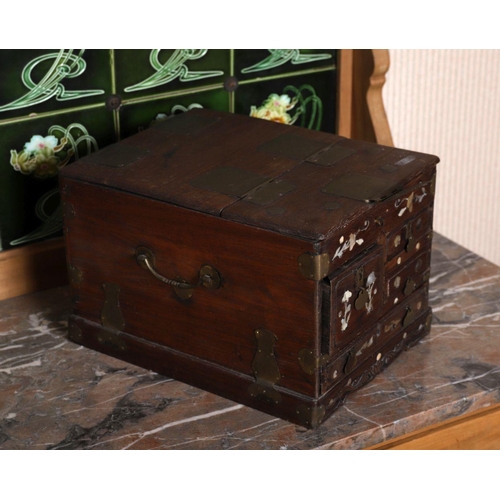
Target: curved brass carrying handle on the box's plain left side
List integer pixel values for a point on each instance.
(209, 277)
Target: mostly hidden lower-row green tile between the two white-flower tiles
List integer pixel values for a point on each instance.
(137, 117)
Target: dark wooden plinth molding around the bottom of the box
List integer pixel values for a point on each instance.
(293, 407)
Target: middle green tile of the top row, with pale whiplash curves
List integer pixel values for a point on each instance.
(148, 72)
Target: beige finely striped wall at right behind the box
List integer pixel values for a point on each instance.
(447, 102)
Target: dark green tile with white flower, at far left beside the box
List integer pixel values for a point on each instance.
(23, 208)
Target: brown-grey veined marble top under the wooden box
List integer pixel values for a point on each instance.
(55, 394)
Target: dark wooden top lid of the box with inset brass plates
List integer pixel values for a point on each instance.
(278, 177)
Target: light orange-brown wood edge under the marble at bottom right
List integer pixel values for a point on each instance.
(479, 430)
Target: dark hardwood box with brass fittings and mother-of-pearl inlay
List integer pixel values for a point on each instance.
(276, 266)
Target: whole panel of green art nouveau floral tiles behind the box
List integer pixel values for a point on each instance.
(113, 94)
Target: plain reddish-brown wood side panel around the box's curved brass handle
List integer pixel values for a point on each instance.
(261, 283)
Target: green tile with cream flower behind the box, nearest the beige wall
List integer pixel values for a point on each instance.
(310, 99)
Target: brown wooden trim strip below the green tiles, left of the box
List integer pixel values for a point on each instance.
(32, 268)
